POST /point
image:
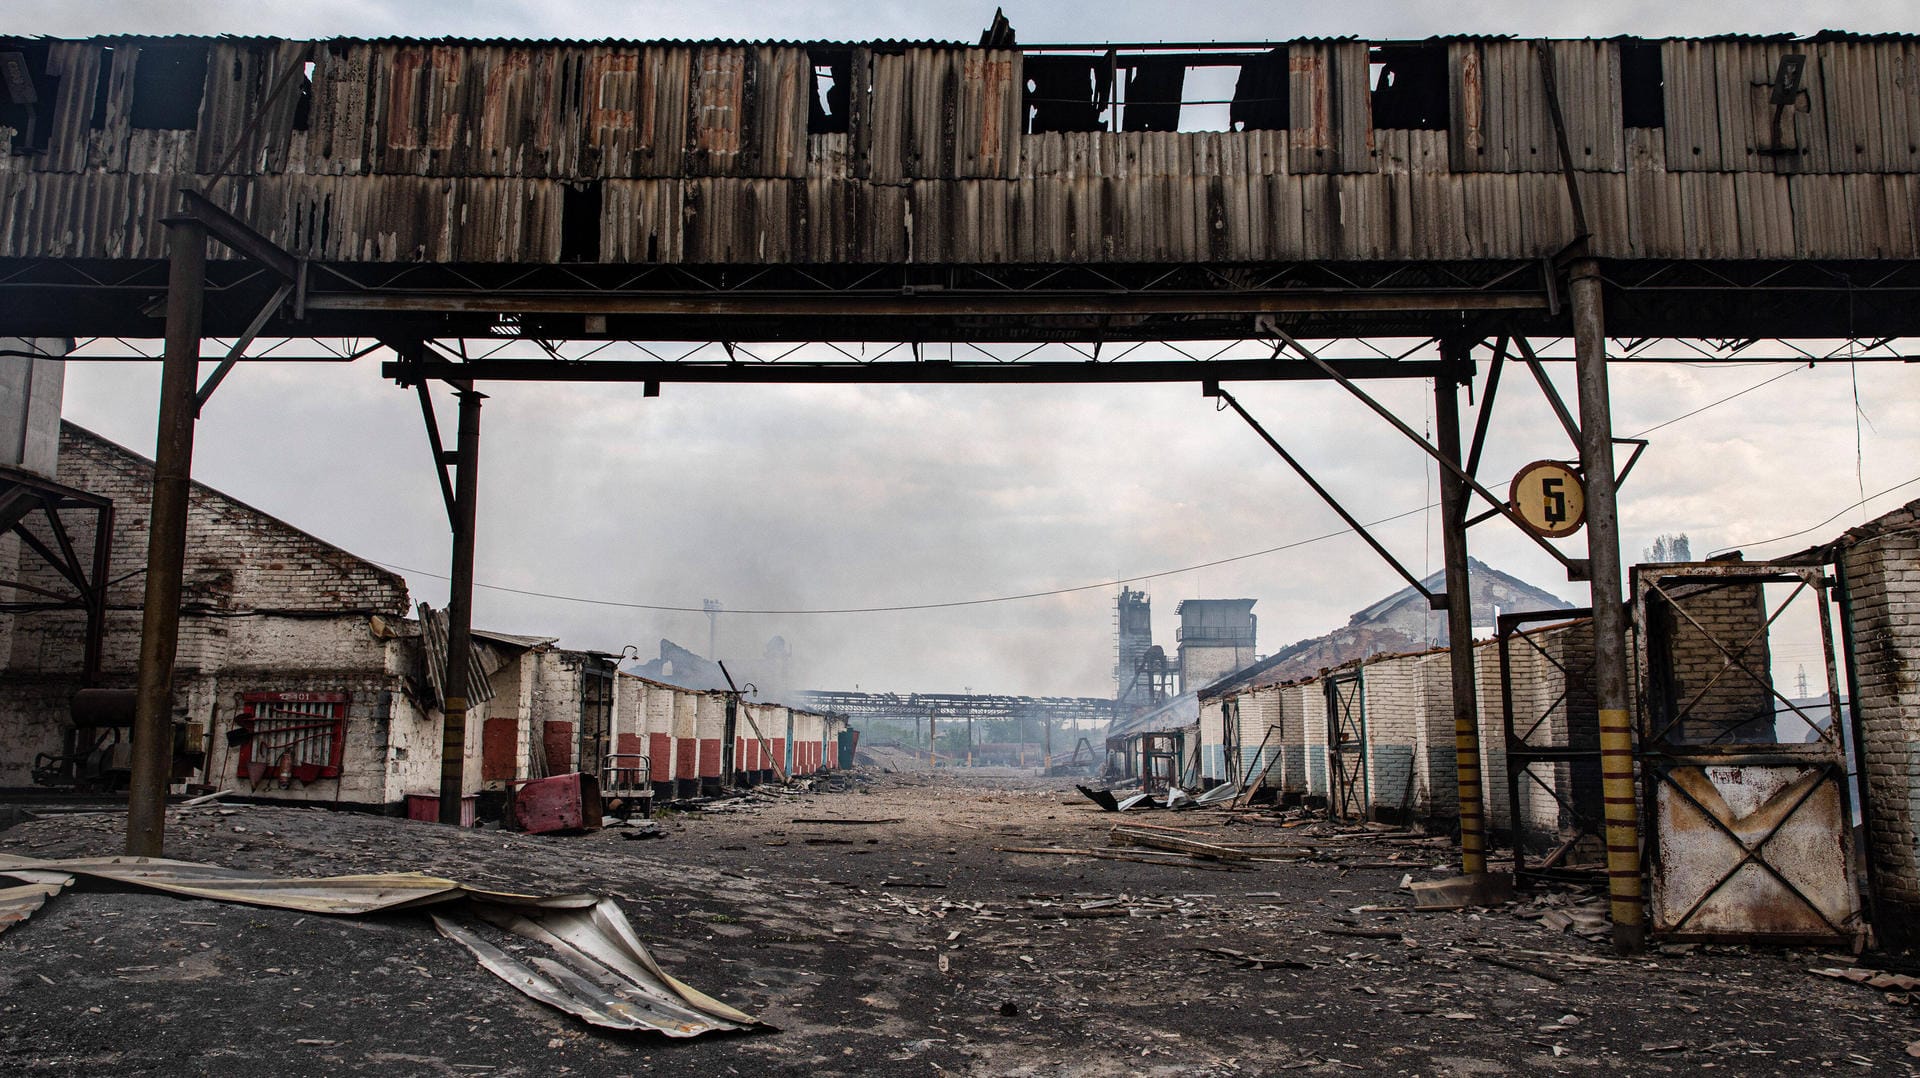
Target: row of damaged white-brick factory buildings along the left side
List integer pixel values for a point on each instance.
(304, 674)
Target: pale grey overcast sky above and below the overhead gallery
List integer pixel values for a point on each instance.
(804, 499)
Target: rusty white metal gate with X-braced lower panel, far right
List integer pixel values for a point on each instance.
(1746, 789)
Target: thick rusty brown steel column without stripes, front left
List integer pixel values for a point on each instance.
(166, 543)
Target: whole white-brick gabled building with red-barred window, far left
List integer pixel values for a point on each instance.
(300, 647)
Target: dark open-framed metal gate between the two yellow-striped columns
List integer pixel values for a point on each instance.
(1554, 798)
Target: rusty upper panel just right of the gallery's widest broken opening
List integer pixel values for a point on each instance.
(1332, 110)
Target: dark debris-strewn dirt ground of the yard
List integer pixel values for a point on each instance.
(896, 948)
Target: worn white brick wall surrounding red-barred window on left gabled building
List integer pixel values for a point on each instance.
(268, 608)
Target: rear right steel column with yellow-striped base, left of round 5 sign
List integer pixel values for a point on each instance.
(1460, 614)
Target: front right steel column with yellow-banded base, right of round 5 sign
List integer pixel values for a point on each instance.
(1610, 612)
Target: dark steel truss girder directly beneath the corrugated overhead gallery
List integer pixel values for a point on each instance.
(961, 303)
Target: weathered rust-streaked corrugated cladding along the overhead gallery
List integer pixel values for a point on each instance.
(398, 151)
